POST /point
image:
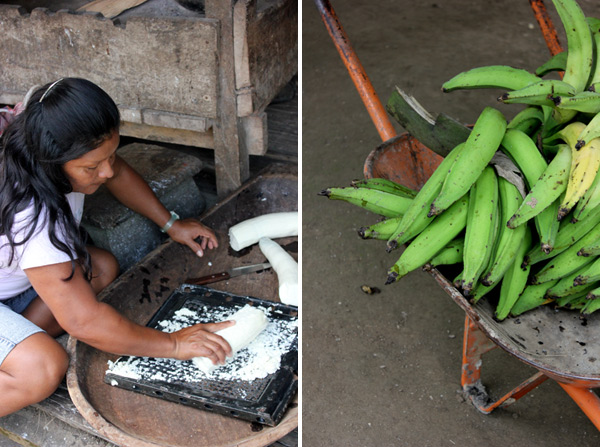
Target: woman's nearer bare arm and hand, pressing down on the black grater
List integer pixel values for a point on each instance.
(74, 305)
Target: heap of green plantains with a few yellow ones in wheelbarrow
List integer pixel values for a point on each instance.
(537, 240)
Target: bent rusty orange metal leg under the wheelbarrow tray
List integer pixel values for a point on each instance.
(475, 344)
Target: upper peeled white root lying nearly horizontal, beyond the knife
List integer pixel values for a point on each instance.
(273, 225)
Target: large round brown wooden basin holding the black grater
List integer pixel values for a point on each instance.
(133, 419)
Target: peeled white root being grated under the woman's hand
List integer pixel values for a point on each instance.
(249, 322)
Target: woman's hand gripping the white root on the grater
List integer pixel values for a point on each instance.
(201, 341)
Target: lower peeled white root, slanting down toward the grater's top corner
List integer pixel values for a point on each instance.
(286, 268)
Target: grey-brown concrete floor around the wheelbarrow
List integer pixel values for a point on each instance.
(384, 369)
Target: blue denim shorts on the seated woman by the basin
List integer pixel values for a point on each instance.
(14, 328)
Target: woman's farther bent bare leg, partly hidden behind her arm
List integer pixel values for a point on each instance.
(104, 270)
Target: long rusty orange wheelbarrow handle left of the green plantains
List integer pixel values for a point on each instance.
(365, 89)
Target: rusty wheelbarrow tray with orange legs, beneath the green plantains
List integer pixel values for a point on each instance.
(560, 344)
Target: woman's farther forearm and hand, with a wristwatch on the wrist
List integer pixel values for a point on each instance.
(132, 191)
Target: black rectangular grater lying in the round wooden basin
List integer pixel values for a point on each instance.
(261, 400)
